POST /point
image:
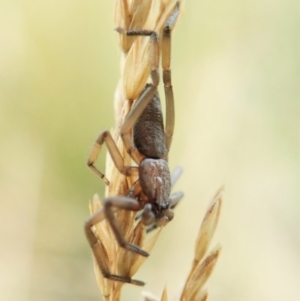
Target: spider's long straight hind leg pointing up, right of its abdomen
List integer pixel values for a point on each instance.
(166, 62)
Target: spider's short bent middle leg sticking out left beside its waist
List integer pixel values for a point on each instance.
(115, 154)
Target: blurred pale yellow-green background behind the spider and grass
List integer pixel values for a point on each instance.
(236, 80)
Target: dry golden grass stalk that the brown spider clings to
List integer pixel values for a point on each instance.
(135, 70)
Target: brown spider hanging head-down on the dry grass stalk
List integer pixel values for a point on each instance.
(151, 142)
